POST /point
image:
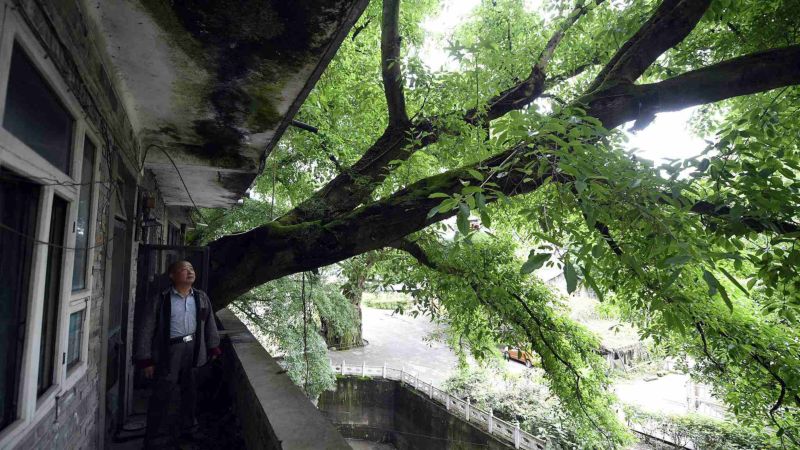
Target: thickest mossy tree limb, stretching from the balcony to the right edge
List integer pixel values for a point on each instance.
(279, 249)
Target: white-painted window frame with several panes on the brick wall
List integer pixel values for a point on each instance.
(17, 156)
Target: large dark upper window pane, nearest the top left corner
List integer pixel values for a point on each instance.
(34, 113)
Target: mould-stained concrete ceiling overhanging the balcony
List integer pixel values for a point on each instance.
(213, 84)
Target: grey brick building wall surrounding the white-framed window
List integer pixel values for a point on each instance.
(72, 46)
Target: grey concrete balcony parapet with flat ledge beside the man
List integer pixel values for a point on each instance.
(273, 412)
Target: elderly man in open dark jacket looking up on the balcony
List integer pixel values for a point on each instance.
(177, 333)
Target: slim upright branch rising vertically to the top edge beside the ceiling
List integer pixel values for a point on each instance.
(390, 64)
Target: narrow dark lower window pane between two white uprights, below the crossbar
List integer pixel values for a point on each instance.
(52, 294)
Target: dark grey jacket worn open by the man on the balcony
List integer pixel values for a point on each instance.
(153, 330)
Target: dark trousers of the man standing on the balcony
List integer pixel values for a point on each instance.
(174, 370)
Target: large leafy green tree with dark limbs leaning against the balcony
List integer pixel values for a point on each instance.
(524, 134)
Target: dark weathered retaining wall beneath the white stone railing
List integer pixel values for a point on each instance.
(387, 411)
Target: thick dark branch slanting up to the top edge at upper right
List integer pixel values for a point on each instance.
(671, 22)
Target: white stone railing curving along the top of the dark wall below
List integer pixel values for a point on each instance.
(505, 431)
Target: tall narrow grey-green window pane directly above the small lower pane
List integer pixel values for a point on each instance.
(83, 223)
